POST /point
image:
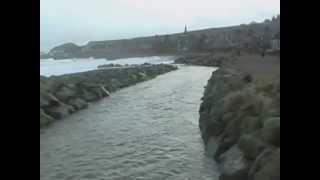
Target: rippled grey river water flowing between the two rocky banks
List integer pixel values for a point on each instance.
(146, 132)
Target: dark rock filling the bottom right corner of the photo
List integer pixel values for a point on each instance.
(271, 169)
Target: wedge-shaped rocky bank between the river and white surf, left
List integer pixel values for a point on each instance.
(63, 95)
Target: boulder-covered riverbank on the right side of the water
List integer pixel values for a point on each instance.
(240, 118)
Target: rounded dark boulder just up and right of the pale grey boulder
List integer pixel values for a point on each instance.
(251, 146)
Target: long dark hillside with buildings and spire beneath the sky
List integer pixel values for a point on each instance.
(246, 36)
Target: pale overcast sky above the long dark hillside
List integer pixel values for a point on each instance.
(80, 21)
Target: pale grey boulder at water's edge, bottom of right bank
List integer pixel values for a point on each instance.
(232, 165)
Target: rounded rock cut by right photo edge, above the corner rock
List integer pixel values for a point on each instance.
(271, 131)
